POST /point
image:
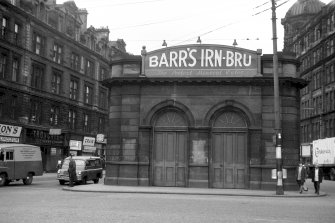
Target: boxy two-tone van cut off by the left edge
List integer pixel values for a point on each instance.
(19, 161)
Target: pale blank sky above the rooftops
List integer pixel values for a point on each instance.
(180, 22)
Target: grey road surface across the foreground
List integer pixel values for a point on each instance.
(45, 201)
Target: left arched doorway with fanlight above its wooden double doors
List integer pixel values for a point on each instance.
(170, 150)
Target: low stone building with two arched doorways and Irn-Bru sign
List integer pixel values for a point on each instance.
(201, 116)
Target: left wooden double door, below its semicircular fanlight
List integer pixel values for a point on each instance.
(170, 159)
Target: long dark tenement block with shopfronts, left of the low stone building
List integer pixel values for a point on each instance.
(51, 65)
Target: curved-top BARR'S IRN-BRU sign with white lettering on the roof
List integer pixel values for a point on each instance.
(202, 61)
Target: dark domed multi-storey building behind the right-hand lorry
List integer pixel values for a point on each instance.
(310, 34)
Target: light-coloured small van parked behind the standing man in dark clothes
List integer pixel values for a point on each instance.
(87, 168)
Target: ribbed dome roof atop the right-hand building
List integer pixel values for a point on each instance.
(302, 7)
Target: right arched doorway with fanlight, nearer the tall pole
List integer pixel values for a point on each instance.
(229, 151)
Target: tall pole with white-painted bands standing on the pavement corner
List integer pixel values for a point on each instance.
(279, 186)
